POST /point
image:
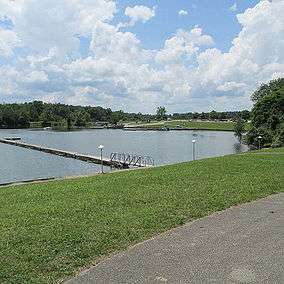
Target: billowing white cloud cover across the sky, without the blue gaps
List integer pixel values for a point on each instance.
(186, 74)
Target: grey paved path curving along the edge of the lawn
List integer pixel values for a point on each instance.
(243, 244)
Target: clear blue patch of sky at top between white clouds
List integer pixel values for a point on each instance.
(215, 17)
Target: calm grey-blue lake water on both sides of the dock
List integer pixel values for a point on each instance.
(18, 164)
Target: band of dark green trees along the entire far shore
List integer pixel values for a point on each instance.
(23, 115)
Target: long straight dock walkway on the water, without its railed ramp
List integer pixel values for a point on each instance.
(67, 154)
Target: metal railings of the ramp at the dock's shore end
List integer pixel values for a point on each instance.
(126, 159)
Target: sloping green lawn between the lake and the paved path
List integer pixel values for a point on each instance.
(50, 230)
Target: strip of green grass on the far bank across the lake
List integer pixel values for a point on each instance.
(197, 125)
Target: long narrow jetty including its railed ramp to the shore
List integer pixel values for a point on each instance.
(115, 160)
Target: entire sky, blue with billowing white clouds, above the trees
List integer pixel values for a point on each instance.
(136, 55)
